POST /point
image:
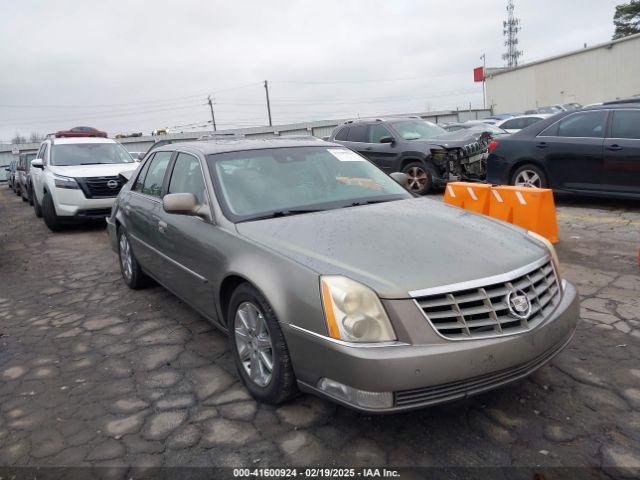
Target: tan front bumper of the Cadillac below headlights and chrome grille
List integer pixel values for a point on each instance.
(426, 374)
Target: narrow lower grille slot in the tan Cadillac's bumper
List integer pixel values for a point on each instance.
(471, 386)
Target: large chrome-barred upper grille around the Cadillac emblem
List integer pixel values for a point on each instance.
(484, 312)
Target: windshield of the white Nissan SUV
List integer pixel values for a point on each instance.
(89, 154)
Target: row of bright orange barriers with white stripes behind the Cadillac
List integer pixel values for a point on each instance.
(530, 208)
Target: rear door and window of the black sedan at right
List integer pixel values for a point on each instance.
(571, 150)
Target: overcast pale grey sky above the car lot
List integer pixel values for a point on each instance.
(128, 66)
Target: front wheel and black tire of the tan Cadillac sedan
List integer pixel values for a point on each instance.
(259, 348)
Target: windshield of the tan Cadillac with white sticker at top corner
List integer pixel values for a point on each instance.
(274, 182)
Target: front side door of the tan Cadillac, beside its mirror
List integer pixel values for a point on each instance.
(186, 255)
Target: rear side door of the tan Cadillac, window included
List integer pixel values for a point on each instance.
(142, 208)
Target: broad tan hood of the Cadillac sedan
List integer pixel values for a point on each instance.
(397, 247)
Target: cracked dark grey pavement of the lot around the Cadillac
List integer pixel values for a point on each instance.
(93, 373)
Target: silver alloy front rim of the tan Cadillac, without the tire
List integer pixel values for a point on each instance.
(253, 343)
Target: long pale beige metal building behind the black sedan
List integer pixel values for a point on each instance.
(603, 72)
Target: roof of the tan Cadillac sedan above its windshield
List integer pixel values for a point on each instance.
(209, 147)
